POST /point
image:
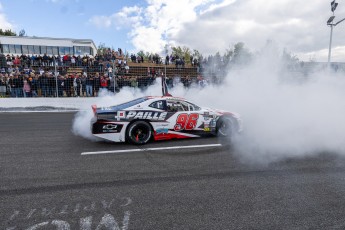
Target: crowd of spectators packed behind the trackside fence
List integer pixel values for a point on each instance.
(50, 76)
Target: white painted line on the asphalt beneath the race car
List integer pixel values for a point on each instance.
(151, 149)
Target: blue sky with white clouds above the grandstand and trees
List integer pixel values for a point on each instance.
(209, 26)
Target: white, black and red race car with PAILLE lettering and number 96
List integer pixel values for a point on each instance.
(161, 118)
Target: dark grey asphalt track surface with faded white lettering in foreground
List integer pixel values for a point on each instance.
(47, 184)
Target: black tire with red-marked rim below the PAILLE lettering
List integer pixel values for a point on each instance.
(139, 133)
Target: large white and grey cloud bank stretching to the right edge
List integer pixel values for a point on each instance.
(213, 25)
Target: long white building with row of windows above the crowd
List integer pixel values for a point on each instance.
(18, 45)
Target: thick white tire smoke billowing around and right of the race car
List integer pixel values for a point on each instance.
(284, 115)
